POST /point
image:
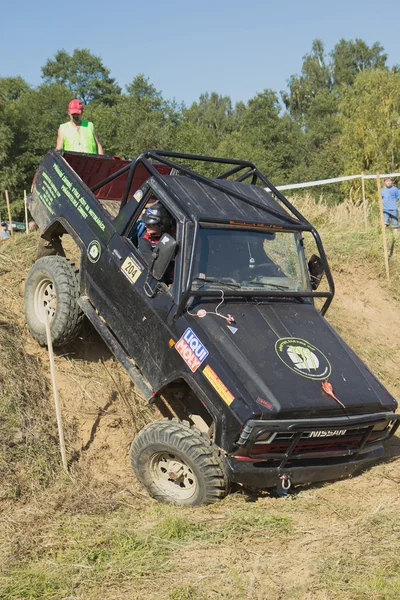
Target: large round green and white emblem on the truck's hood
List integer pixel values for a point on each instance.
(303, 358)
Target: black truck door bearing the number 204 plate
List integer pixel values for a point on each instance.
(138, 318)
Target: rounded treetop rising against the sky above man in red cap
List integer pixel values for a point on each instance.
(83, 74)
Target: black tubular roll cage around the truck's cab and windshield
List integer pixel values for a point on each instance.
(292, 223)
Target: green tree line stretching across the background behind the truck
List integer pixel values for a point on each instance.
(340, 115)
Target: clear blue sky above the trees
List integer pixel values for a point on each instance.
(235, 48)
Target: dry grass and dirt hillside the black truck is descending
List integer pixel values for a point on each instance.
(97, 534)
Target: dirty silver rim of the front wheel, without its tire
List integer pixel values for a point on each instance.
(173, 476)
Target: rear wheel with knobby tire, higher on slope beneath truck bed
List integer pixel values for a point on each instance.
(57, 275)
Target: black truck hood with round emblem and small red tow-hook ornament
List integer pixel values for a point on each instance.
(283, 353)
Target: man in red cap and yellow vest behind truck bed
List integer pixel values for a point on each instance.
(78, 135)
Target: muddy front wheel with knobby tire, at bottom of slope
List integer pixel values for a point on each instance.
(206, 479)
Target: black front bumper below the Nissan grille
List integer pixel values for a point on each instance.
(254, 474)
